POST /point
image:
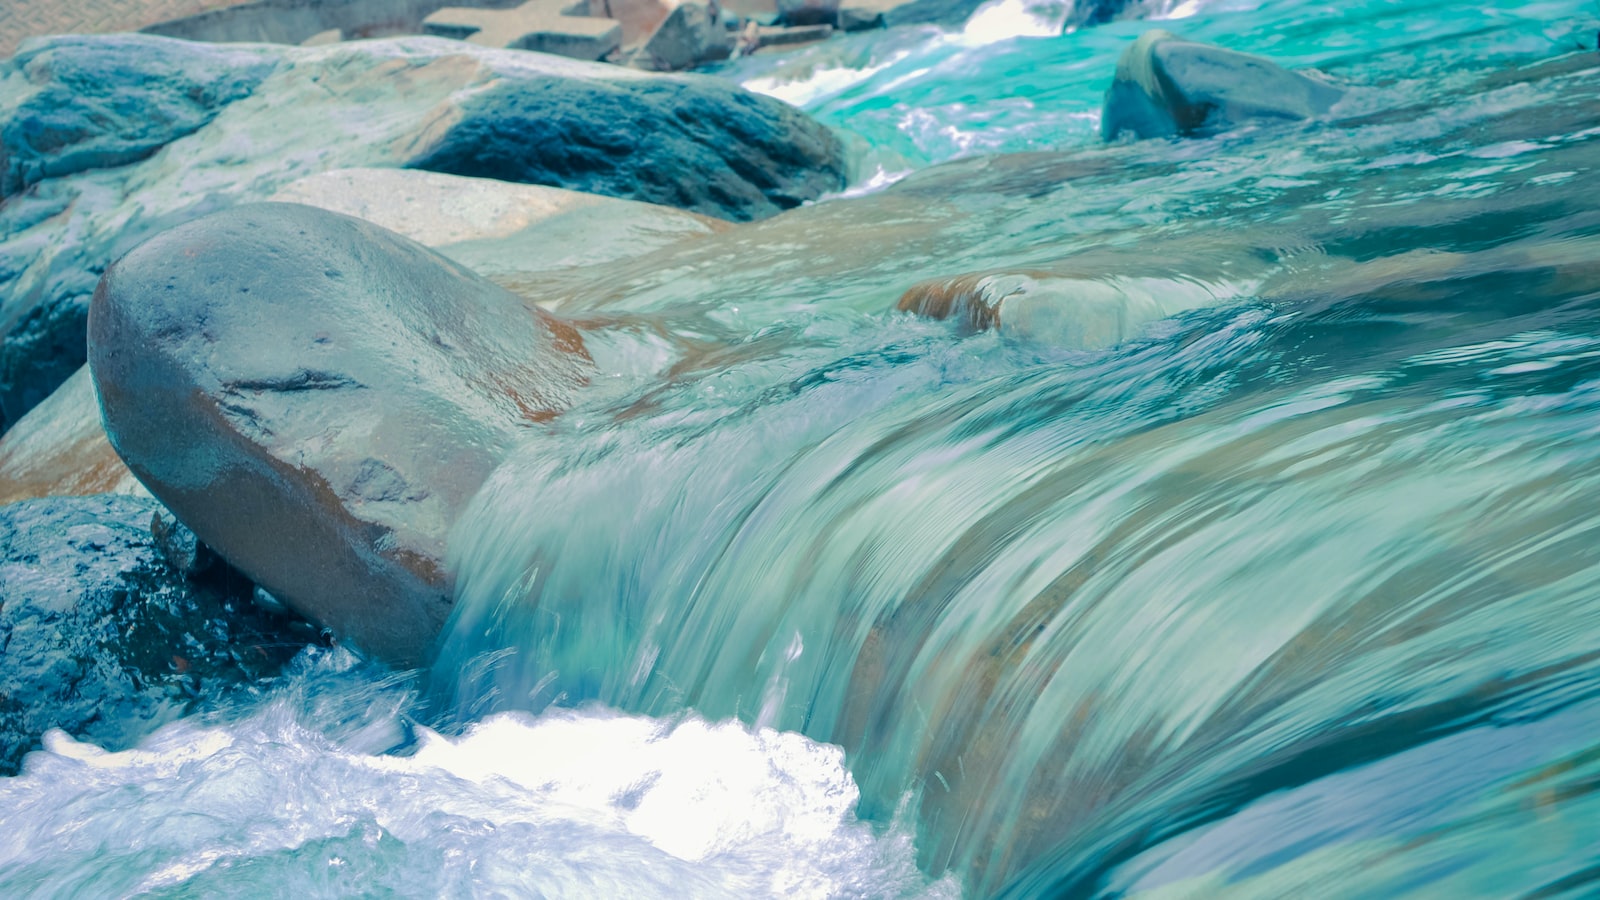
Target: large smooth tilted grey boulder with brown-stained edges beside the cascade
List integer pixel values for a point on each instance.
(318, 398)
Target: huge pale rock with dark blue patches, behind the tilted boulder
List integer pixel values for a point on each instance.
(121, 166)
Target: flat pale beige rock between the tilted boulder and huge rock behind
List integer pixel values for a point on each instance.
(502, 231)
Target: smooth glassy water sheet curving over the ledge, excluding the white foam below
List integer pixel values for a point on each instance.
(1116, 613)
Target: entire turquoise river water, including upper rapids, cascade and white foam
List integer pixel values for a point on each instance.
(1252, 552)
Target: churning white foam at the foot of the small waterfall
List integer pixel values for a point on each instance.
(585, 803)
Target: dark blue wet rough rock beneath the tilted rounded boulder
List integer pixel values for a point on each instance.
(108, 641)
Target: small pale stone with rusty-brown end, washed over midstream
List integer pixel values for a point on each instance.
(1070, 313)
